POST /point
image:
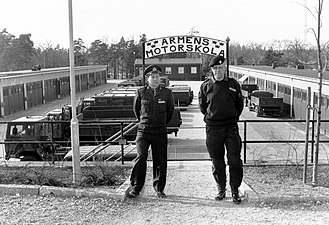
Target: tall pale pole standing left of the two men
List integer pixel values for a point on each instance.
(74, 121)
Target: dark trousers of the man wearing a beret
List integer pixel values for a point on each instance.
(217, 140)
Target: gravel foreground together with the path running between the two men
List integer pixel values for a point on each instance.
(190, 193)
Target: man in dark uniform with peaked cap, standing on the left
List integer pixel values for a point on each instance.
(153, 107)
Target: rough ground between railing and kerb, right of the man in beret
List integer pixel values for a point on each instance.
(287, 181)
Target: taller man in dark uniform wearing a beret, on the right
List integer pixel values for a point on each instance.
(221, 102)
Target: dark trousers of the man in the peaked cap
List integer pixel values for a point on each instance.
(158, 143)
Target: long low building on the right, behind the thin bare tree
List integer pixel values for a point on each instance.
(290, 84)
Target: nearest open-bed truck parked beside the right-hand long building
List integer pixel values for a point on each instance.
(263, 103)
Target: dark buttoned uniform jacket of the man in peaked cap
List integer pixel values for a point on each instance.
(154, 109)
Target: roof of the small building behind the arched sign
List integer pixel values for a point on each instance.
(169, 61)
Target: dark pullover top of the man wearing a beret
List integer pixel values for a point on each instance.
(221, 102)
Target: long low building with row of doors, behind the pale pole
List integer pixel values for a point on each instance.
(21, 90)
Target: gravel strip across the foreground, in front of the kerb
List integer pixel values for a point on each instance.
(147, 210)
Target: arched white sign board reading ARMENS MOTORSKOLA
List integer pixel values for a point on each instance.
(173, 44)
